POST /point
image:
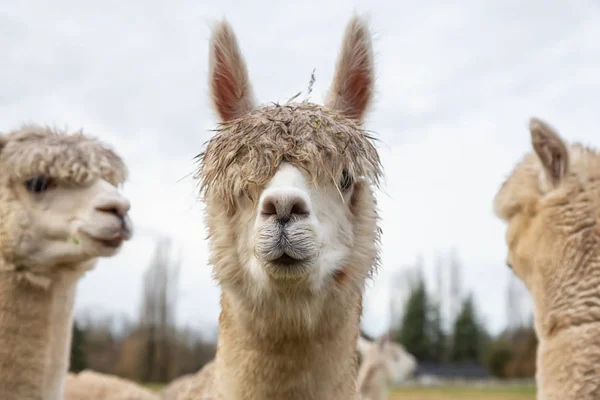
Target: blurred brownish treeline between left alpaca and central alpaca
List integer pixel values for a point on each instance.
(150, 349)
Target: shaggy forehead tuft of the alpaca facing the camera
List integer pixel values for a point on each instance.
(246, 152)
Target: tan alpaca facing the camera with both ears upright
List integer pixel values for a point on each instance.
(292, 227)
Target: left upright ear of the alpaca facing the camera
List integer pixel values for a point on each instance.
(230, 89)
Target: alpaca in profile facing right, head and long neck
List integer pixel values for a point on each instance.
(60, 210)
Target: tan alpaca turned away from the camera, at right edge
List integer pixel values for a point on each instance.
(551, 204)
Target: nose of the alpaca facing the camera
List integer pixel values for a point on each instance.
(284, 205)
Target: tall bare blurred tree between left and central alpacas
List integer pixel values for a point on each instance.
(157, 317)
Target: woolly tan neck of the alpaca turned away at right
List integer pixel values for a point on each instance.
(567, 322)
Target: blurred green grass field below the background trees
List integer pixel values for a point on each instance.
(450, 393)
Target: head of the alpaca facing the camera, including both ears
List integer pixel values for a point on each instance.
(288, 188)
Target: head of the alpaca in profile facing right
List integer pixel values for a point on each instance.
(59, 202)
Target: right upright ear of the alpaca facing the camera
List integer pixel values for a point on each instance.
(352, 88)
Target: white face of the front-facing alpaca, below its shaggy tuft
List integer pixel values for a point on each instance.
(301, 230)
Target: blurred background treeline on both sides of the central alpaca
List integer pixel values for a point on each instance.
(434, 327)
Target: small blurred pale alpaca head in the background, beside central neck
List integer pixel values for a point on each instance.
(397, 363)
